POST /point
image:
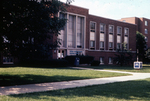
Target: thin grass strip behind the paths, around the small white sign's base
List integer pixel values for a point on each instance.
(145, 69)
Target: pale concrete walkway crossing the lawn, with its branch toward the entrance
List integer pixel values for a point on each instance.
(20, 89)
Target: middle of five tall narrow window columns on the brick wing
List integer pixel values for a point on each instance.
(111, 32)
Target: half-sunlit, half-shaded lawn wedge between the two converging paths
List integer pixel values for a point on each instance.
(25, 75)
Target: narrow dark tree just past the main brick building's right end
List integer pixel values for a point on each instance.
(140, 45)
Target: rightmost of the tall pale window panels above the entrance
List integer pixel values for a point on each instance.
(79, 32)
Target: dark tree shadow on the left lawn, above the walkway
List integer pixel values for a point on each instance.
(10, 80)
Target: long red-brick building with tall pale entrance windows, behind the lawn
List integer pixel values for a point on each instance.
(94, 36)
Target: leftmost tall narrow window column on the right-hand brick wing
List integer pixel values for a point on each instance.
(92, 35)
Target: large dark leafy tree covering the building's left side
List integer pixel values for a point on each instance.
(28, 27)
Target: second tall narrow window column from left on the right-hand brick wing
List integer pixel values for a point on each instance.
(102, 36)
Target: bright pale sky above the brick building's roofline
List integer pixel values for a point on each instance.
(115, 9)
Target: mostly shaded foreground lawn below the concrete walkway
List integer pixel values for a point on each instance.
(131, 90)
